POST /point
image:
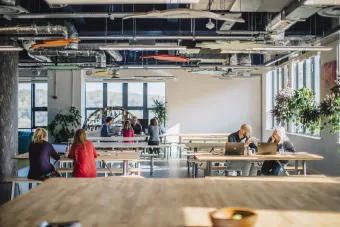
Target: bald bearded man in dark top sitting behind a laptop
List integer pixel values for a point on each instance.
(243, 136)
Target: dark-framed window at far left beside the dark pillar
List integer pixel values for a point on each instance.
(32, 106)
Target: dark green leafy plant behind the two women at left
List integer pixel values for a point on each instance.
(63, 126)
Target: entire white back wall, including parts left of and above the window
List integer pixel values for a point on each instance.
(196, 103)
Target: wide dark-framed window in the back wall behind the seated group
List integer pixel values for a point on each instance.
(137, 98)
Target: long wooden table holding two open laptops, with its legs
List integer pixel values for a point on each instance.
(303, 157)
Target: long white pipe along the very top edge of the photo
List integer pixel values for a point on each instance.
(84, 2)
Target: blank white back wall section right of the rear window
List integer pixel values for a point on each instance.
(201, 104)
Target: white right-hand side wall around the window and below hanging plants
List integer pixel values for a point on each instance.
(327, 145)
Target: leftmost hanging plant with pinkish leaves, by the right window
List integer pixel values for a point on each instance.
(282, 111)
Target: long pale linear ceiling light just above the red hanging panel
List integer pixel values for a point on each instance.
(141, 47)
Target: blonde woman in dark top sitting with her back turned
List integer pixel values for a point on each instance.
(40, 151)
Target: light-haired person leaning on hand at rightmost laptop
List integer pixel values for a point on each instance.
(274, 168)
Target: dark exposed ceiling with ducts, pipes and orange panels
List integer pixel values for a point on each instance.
(208, 34)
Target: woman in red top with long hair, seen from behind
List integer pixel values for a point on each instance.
(83, 154)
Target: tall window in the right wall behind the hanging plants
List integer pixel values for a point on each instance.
(305, 73)
